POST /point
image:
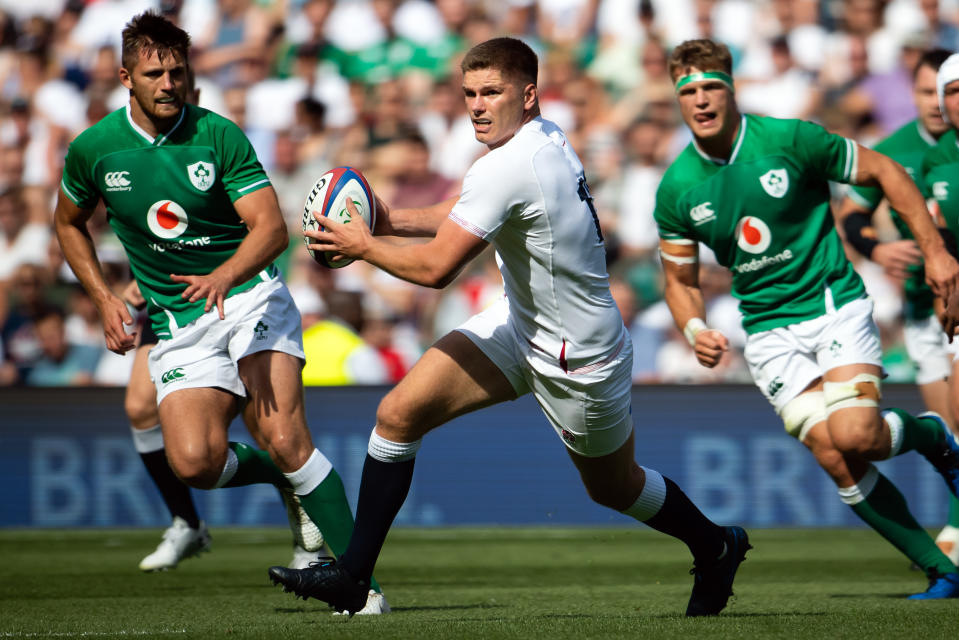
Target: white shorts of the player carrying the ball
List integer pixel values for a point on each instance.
(589, 407)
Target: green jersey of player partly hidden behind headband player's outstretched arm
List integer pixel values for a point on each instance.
(908, 146)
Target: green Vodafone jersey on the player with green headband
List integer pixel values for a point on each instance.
(765, 213)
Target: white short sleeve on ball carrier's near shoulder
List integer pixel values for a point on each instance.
(484, 204)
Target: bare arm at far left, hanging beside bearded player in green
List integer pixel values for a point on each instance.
(70, 222)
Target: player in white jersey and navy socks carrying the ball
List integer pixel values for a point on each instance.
(557, 334)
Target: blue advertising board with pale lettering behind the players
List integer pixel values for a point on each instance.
(67, 460)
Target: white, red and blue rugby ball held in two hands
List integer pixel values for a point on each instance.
(328, 198)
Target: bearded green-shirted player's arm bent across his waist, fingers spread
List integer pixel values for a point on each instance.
(267, 239)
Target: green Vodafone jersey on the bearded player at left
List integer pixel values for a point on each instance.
(169, 199)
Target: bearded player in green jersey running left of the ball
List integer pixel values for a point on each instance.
(201, 226)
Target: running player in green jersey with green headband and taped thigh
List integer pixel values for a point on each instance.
(755, 190)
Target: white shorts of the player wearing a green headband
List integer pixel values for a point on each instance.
(783, 361)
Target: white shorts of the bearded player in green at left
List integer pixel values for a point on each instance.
(205, 352)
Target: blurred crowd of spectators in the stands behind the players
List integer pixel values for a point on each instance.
(374, 84)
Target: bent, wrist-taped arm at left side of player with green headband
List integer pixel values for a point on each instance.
(685, 301)
